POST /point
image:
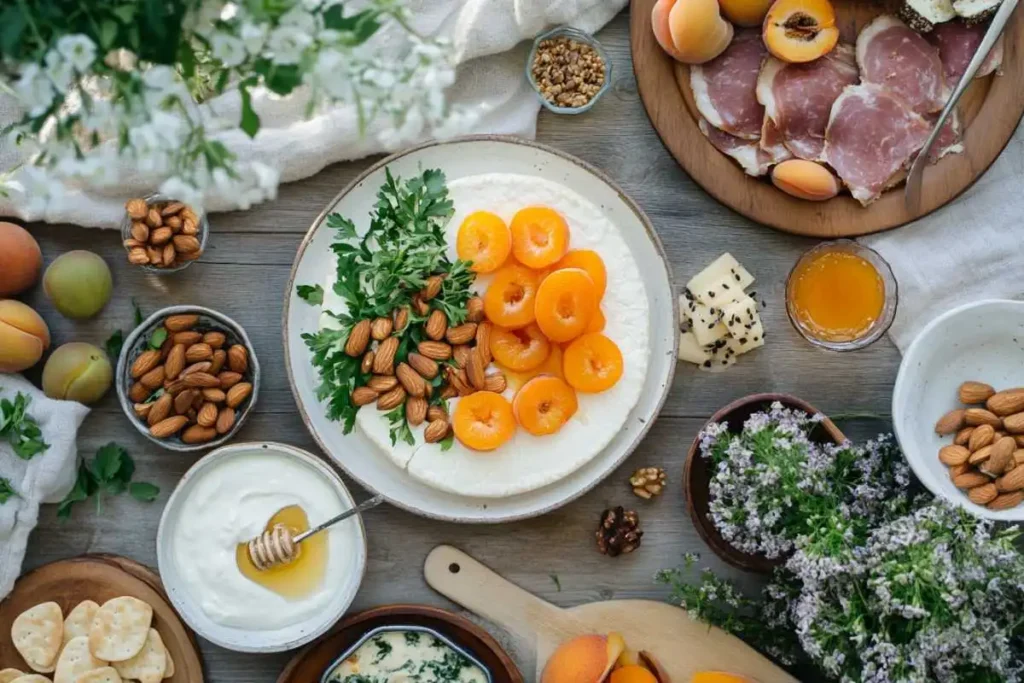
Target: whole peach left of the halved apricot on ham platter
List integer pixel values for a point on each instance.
(691, 31)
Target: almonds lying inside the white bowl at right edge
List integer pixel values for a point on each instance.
(987, 458)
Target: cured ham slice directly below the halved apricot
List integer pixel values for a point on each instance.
(799, 98)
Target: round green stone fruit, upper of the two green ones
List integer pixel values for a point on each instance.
(79, 283)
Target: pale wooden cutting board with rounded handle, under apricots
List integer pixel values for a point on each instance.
(682, 646)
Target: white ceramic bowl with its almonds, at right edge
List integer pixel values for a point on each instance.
(959, 408)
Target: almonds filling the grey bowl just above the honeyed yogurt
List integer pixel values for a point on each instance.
(193, 385)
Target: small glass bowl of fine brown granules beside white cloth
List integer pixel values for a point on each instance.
(570, 70)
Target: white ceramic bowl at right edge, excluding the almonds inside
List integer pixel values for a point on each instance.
(983, 341)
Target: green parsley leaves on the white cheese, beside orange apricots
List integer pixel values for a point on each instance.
(381, 273)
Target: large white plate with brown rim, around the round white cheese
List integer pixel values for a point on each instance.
(462, 158)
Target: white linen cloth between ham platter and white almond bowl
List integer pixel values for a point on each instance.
(970, 250)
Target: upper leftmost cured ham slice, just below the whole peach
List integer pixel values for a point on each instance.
(724, 89)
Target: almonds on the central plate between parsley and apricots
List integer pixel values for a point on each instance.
(412, 382)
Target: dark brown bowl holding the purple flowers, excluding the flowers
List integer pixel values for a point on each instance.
(698, 474)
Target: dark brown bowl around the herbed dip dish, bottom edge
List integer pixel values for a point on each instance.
(309, 666)
